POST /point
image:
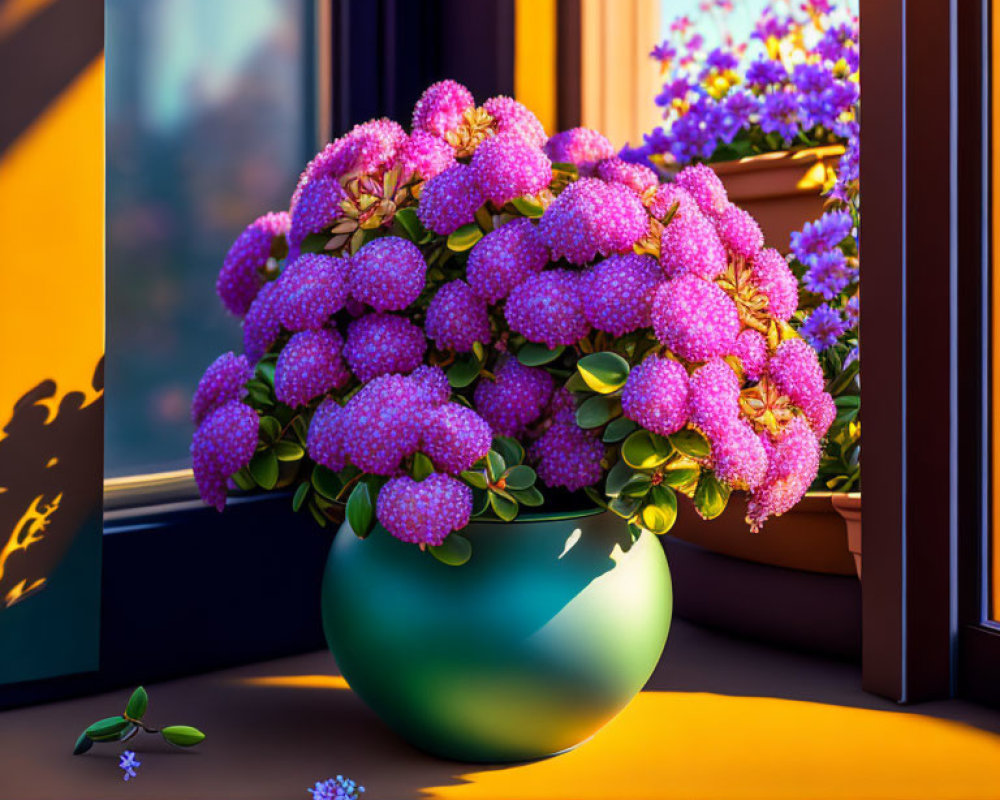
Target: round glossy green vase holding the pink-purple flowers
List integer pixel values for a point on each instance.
(527, 650)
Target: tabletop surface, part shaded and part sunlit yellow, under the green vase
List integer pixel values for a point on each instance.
(721, 718)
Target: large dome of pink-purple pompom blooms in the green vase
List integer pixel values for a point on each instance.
(568, 248)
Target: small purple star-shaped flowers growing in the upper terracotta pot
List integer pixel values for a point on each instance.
(790, 89)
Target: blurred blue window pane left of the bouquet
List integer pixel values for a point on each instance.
(209, 121)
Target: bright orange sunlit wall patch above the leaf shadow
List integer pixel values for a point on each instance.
(52, 229)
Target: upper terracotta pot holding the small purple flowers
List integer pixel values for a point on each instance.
(781, 190)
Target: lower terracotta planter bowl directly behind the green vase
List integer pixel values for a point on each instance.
(810, 537)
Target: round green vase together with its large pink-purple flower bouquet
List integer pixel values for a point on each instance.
(473, 333)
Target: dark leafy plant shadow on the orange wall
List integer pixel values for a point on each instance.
(47, 460)
